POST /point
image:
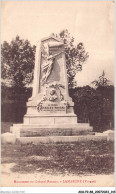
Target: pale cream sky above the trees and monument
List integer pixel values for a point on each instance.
(90, 22)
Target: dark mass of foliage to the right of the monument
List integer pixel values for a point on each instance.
(94, 105)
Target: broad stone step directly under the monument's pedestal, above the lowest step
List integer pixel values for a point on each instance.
(22, 130)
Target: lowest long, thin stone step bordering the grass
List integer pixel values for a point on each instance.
(61, 139)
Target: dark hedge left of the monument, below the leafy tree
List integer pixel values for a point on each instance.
(13, 106)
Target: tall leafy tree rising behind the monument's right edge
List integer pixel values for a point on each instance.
(76, 56)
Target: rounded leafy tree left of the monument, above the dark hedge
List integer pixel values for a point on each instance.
(17, 62)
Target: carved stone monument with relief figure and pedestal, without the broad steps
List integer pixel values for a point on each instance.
(50, 102)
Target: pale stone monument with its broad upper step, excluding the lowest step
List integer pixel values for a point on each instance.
(50, 109)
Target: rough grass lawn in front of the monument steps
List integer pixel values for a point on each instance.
(66, 158)
